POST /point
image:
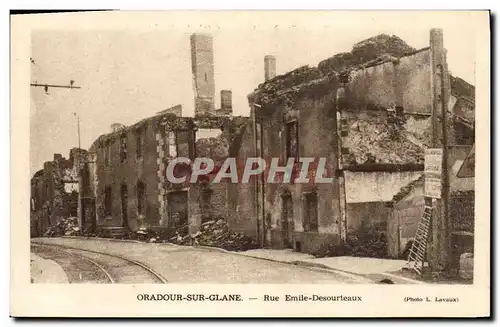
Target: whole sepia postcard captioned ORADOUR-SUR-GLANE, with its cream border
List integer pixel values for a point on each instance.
(250, 164)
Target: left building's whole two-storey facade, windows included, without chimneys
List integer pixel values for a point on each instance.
(132, 190)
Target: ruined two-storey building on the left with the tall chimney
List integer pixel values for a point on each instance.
(130, 187)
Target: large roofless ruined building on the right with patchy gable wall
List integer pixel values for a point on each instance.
(368, 112)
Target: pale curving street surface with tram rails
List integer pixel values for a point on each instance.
(131, 262)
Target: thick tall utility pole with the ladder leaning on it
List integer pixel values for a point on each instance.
(440, 245)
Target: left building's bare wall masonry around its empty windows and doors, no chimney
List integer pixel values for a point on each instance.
(150, 168)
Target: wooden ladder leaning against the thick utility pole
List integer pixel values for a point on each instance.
(418, 249)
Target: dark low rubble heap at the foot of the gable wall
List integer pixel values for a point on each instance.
(370, 245)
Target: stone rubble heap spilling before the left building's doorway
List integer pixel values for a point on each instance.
(215, 233)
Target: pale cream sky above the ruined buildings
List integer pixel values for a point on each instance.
(130, 74)
